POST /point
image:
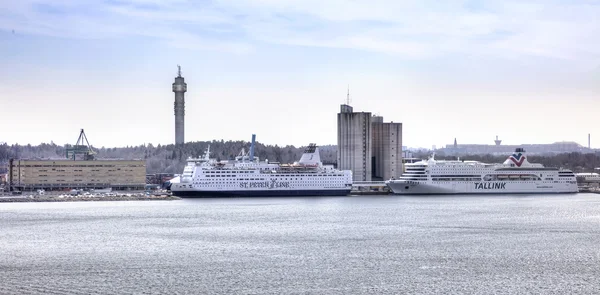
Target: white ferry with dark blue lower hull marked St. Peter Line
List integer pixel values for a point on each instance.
(247, 176)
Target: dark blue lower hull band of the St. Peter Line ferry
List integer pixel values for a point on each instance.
(262, 193)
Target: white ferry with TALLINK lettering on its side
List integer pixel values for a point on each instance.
(516, 175)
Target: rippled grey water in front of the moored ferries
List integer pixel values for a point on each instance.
(343, 245)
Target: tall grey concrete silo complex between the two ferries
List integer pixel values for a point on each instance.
(369, 147)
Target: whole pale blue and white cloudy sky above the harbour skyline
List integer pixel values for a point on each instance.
(526, 71)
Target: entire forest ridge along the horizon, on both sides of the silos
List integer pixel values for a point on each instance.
(171, 158)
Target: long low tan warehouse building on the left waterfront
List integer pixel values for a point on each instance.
(30, 175)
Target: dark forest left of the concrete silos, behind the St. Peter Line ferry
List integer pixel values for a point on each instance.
(167, 158)
